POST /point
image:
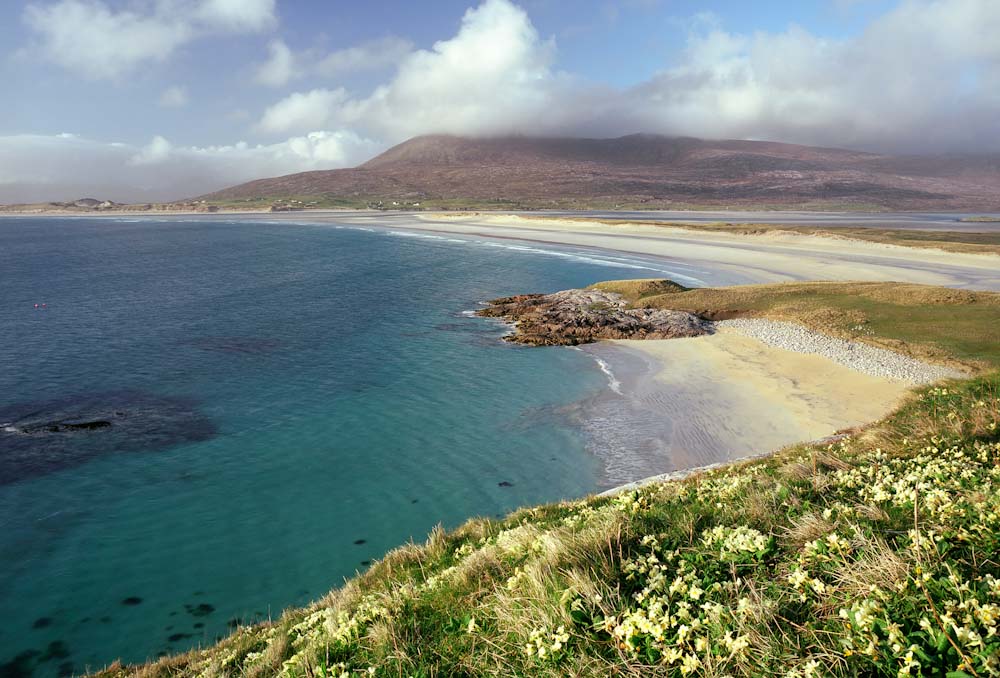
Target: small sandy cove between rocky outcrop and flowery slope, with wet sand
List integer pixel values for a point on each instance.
(688, 405)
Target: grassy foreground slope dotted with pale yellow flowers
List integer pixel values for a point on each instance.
(877, 555)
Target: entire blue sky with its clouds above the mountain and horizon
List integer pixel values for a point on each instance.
(163, 99)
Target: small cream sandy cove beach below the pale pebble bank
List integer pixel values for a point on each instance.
(726, 396)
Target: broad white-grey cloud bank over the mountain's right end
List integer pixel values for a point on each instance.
(896, 86)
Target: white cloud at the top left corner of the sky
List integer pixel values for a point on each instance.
(92, 39)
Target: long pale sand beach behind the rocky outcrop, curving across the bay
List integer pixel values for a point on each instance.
(765, 258)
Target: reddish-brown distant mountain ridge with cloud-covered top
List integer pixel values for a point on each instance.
(643, 170)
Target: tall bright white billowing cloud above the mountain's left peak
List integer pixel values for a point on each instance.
(494, 76)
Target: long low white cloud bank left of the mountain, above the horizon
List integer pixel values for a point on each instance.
(57, 167)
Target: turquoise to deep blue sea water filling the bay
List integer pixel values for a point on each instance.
(265, 408)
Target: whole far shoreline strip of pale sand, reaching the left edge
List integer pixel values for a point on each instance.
(774, 257)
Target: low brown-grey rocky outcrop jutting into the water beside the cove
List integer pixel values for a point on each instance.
(583, 316)
